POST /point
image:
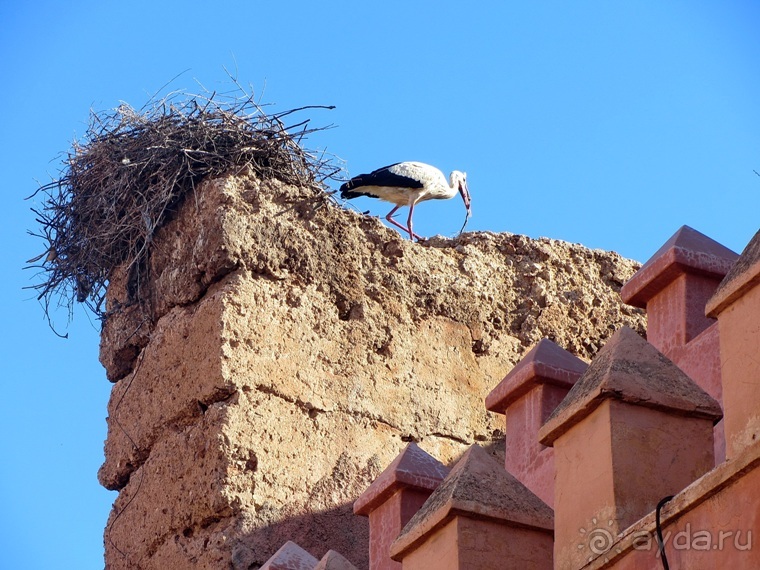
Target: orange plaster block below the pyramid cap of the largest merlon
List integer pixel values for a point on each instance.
(616, 464)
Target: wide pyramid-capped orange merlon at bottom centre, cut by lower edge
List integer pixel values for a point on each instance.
(479, 517)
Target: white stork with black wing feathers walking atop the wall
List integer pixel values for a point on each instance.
(406, 184)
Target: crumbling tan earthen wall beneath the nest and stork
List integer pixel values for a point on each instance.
(290, 351)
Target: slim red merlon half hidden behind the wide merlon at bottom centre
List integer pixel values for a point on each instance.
(394, 497)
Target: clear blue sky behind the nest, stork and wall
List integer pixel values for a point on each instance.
(605, 123)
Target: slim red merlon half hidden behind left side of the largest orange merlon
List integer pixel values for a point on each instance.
(527, 396)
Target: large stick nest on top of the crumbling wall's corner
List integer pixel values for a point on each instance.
(131, 171)
